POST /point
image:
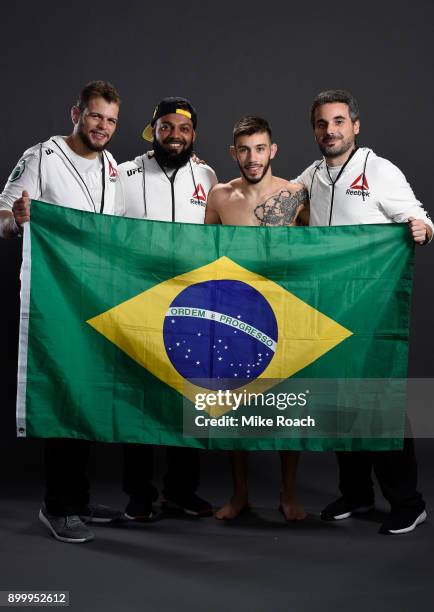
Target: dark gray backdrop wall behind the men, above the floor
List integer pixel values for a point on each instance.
(230, 59)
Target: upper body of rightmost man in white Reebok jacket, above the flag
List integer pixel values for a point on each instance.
(352, 185)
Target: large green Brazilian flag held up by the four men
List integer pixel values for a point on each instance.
(125, 321)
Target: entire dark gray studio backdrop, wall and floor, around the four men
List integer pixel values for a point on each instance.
(231, 59)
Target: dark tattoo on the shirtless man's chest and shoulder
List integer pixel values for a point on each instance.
(281, 208)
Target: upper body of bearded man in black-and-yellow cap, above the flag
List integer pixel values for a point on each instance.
(166, 184)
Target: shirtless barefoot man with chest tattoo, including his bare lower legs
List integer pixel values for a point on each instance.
(258, 198)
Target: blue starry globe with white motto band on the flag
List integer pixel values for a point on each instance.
(220, 334)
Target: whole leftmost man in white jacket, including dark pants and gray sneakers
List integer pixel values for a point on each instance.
(78, 172)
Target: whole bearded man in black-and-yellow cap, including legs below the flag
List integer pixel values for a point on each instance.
(165, 184)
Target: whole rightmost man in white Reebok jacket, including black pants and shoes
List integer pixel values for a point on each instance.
(351, 185)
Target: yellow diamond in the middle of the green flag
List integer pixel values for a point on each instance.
(302, 333)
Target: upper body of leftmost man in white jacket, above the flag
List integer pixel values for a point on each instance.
(75, 170)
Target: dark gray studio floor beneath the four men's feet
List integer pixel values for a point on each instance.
(255, 563)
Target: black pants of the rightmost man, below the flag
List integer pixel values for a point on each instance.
(396, 472)
